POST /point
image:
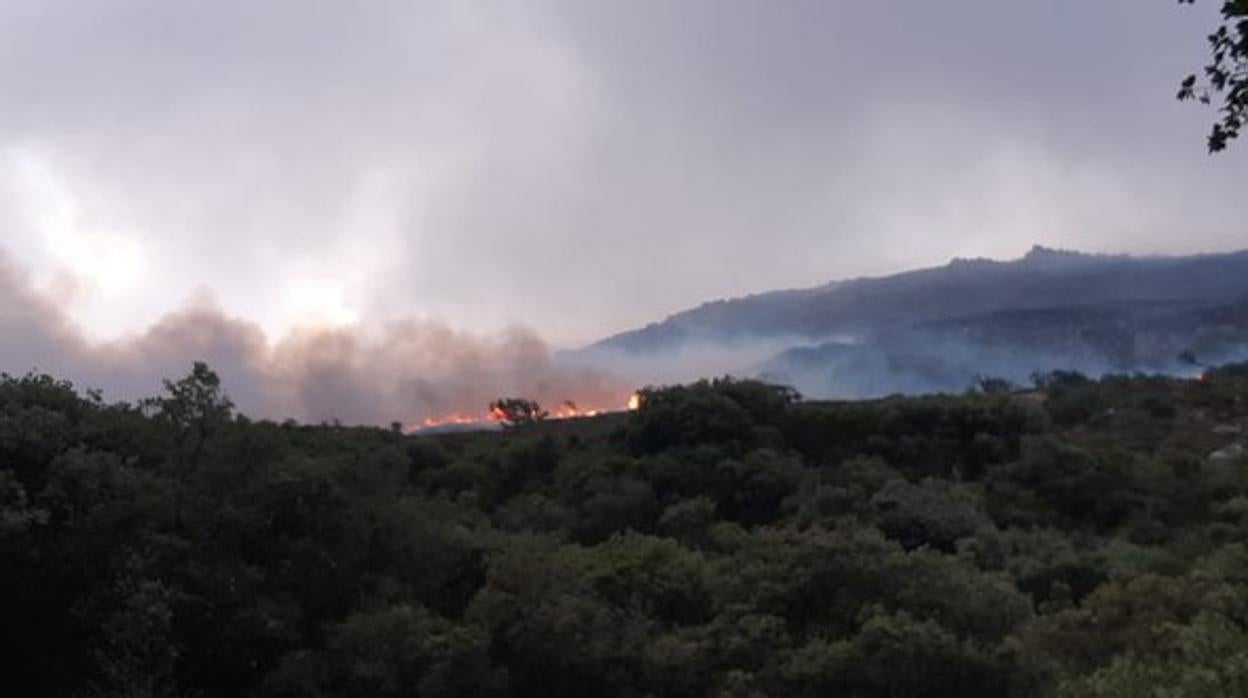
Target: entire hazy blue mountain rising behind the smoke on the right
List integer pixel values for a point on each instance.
(935, 329)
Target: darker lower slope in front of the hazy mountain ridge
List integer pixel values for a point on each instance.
(950, 355)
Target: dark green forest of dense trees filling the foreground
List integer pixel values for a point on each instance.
(1075, 539)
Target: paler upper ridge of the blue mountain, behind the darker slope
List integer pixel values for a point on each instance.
(1043, 278)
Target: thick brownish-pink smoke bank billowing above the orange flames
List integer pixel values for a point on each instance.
(407, 370)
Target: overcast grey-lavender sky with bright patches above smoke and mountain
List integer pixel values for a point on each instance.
(565, 170)
